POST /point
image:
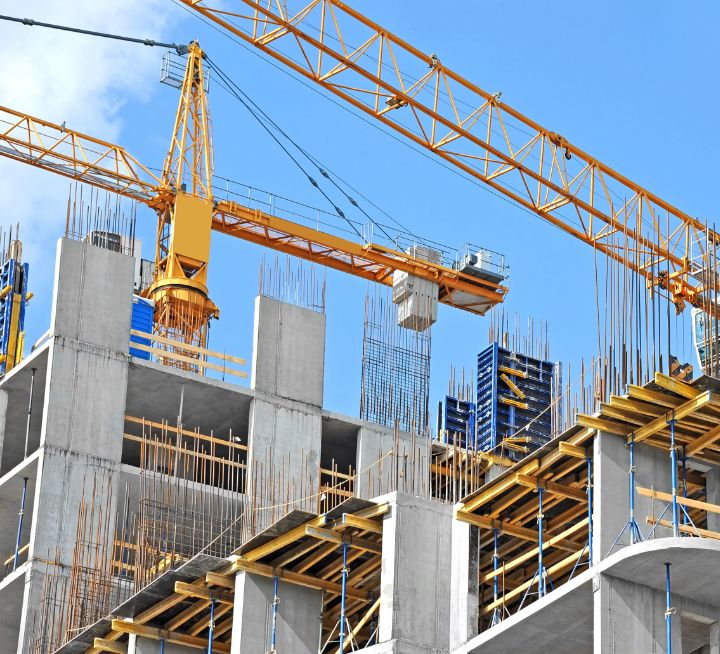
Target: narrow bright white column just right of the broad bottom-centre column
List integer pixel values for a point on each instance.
(464, 583)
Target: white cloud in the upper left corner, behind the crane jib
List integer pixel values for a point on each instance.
(82, 80)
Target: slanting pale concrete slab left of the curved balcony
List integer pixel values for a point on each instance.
(561, 622)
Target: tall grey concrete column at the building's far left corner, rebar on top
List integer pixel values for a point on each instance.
(84, 405)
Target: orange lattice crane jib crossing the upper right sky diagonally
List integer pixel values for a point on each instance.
(416, 95)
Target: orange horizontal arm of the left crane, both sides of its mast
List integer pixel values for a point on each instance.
(81, 157)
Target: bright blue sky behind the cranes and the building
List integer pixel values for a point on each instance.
(630, 83)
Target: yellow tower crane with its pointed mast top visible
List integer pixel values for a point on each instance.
(187, 210)
